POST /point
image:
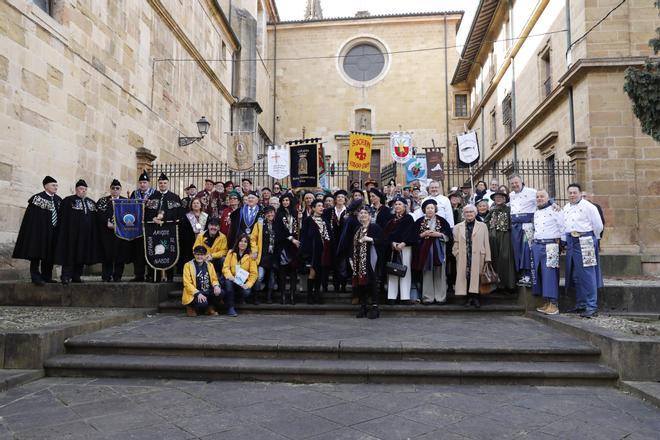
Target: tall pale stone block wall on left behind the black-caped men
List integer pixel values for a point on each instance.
(80, 94)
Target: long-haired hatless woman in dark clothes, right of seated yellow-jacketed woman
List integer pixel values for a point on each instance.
(287, 245)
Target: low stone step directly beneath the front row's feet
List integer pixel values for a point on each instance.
(344, 308)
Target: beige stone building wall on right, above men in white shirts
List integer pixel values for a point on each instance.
(620, 163)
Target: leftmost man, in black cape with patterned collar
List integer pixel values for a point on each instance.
(38, 233)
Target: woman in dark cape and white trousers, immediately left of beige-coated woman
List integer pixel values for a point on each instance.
(431, 253)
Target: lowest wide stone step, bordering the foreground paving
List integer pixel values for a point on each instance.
(315, 370)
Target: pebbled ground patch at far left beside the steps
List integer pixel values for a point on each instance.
(31, 318)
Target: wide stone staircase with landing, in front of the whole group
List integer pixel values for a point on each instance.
(447, 347)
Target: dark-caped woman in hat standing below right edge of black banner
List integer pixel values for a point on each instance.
(316, 250)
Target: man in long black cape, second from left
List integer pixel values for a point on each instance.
(77, 242)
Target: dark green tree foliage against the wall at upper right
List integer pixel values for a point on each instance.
(643, 88)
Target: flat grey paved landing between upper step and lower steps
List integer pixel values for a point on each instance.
(444, 331)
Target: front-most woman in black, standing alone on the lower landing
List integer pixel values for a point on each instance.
(364, 261)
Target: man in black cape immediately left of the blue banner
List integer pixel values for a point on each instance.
(116, 251)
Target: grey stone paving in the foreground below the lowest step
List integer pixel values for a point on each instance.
(158, 409)
